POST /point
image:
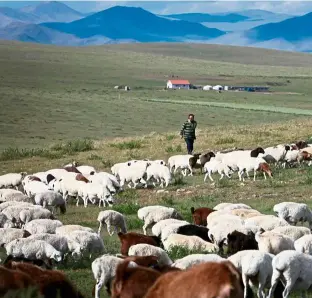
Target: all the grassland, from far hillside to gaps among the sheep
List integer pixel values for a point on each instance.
(52, 98)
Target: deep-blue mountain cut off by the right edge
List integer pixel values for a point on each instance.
(292, 30)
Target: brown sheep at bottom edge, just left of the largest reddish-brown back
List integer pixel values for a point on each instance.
(135, 282)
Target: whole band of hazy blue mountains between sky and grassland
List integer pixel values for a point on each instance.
(56, 23)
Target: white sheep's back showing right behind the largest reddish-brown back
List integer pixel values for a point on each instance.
(195, 259)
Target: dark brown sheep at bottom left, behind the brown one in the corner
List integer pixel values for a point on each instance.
(50, 283)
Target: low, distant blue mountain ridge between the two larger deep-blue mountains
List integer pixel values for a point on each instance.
(205, 17)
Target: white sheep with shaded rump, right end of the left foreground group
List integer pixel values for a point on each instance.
(90, 243)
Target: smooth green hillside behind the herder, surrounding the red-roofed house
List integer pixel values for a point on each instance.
(50, 94)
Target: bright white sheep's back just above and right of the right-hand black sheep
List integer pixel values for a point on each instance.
(266, 222)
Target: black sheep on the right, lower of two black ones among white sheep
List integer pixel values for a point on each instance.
(237, 241)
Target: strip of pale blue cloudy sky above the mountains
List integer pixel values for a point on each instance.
(166, 7)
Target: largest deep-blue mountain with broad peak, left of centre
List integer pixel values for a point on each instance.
(133, 23)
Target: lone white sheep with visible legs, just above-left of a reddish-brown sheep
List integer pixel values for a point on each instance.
(113, 220)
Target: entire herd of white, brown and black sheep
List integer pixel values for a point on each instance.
(233, 248)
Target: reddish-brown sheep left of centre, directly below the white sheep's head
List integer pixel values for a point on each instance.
(129, 239)
